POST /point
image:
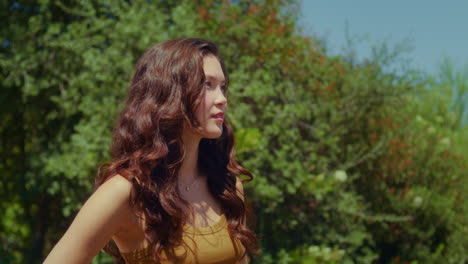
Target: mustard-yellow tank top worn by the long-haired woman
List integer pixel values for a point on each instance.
(206, 245)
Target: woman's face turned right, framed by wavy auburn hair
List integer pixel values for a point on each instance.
(211, 111)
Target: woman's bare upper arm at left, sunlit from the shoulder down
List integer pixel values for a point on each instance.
(97, 221)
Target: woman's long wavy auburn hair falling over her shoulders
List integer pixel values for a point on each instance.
(147, 148)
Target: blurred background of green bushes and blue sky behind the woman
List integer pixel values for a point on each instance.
(352, 116)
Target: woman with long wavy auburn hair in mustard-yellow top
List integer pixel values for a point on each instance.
(171, 193)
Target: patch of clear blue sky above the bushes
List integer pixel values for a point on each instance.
(430, 29)
